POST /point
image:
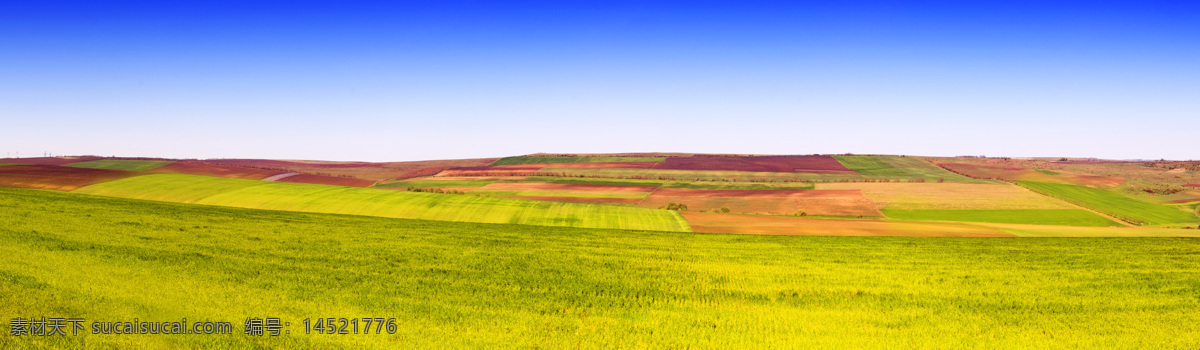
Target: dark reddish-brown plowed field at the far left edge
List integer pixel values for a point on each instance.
(57, 178)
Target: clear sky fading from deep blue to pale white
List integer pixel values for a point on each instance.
(397, 81)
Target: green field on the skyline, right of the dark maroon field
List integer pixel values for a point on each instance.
(902, 168)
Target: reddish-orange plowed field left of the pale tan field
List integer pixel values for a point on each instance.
(770, 202)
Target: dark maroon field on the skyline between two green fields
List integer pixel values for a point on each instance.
(813, 165)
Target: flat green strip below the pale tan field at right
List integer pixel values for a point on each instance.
(1073, 218)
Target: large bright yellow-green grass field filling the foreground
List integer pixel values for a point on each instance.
(454, 286)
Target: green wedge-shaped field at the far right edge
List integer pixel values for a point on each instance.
(1114, 204)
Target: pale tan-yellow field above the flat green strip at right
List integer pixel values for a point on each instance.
(931, 196)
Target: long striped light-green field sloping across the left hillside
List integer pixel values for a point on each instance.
(383, 203)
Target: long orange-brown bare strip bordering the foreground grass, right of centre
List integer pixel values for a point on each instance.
(715, 224)
